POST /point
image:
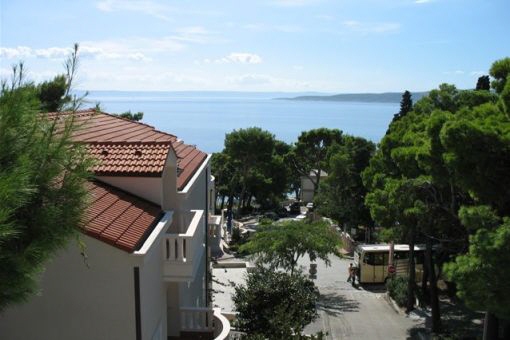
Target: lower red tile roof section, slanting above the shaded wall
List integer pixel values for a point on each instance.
(118, 218)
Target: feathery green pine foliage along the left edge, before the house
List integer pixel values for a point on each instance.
(42, 176)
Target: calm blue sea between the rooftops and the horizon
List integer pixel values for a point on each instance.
(203, 118)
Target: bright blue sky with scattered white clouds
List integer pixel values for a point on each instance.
(333, 46)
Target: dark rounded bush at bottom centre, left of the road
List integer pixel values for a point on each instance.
(274, 304)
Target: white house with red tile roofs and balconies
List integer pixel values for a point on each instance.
(140, 269)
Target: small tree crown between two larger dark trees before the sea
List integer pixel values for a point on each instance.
(310, 153)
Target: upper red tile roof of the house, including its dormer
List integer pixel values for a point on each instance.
(129, 148)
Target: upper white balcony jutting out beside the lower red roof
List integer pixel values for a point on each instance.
(183, 251)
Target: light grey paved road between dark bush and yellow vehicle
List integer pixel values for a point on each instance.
(349, 313)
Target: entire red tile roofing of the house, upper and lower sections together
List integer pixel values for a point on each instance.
(127, 148)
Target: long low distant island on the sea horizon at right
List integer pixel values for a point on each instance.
(387, 97)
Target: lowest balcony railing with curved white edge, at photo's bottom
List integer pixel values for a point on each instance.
(205, 320)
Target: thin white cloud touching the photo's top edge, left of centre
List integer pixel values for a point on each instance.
(140, 6)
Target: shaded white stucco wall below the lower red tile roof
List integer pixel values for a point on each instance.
(77, 302)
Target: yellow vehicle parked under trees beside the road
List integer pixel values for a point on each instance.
(372, 262)
